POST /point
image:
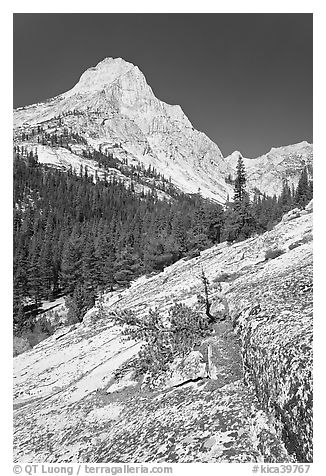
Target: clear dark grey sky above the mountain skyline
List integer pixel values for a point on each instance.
(243, 79)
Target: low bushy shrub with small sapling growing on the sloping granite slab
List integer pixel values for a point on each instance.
(167, 336)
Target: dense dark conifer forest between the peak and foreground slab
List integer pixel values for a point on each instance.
(77, 237)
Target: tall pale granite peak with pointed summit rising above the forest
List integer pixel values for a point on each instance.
(118, 110)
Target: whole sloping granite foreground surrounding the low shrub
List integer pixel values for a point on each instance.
(251, 402)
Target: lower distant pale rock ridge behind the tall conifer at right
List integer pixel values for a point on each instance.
(268, 171)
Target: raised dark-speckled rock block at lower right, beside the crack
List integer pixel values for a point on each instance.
(272, 313)
